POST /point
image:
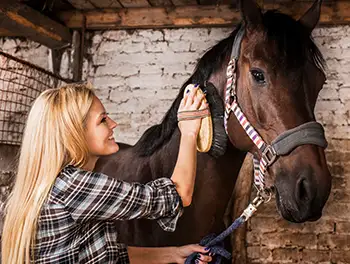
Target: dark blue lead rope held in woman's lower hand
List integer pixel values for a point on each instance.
(216, 244)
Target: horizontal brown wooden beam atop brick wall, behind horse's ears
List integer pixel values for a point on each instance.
(205, 16)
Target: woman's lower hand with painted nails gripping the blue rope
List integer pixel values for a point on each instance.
(181, 253)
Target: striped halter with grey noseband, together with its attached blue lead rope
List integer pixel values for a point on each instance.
(308, 133)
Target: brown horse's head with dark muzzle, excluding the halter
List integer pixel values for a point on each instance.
(279, 75)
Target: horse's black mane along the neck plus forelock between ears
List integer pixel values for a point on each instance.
(287, 32)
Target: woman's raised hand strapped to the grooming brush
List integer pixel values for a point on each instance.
(191, 101)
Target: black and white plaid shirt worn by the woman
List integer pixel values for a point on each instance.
(76, 222)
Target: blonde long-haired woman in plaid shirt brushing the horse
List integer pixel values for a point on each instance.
(62, 212)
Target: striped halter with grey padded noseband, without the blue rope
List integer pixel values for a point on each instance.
(307, 133)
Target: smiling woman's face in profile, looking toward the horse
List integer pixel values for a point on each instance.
(99, 131)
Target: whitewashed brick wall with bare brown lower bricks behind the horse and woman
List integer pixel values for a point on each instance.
(137, 75)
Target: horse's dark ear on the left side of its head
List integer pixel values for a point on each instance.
(251, 13)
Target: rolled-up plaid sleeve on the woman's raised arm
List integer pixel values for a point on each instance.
(95, 196)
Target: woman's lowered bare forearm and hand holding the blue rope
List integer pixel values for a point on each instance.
(166, 255)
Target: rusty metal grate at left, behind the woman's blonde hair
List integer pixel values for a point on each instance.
(20, 83)
